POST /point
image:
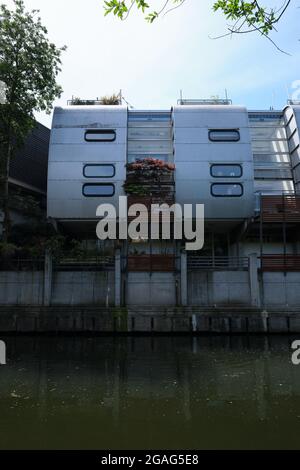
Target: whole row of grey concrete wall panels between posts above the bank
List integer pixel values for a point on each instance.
(204, 288)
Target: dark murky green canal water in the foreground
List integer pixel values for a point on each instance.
(149, 393)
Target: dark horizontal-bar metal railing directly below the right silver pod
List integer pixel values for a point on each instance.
(221, 263)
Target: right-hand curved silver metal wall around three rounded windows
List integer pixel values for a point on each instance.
(195, 153)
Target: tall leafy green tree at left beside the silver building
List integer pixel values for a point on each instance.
(29, 65)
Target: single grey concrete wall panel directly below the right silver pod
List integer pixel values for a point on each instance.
(218, 288)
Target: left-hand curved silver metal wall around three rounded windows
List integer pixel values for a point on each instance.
(69, 153)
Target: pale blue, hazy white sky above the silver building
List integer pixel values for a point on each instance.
(152, 63)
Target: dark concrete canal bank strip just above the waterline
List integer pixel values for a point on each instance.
(163, 320)
